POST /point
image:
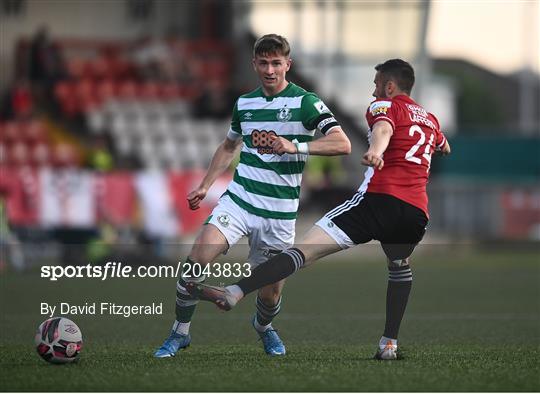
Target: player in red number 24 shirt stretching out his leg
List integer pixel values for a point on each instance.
(391, 205)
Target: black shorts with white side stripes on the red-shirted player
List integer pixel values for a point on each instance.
(398, 225)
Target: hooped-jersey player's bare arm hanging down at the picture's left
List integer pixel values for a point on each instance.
(221, 160)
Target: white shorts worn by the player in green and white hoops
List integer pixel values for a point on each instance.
(266, 237)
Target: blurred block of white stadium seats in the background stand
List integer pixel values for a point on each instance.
(159, 135)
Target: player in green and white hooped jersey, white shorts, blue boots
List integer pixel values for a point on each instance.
(276, 124)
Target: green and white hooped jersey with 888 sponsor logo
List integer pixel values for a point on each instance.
(266, 184)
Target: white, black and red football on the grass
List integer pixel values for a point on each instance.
(58, 340)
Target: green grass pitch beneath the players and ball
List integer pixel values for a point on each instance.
(473, 324)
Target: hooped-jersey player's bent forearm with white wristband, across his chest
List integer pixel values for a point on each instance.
(334, 143)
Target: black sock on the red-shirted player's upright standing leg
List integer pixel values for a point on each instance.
(397, 295)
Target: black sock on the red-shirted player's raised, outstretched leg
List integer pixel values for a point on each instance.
(275, 269)
